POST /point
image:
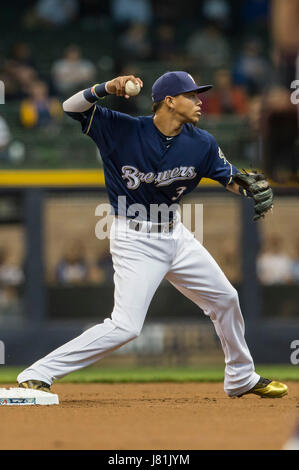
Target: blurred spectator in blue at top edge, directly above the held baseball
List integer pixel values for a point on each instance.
(131, 11)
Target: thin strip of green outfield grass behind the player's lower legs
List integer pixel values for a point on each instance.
(157, 374)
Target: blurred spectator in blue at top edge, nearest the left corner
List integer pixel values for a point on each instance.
(56, 12)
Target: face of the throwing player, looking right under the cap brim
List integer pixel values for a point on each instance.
(188, 107)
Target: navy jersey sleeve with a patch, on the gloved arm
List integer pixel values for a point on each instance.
(218, 167)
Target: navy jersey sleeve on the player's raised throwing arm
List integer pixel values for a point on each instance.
(103, 125)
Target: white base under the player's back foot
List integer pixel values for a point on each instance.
(24, 396)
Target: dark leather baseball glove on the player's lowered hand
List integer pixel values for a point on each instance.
(257, 187)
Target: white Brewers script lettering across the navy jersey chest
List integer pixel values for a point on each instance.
(163, 178)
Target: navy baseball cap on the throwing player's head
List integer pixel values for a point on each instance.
(175, 83)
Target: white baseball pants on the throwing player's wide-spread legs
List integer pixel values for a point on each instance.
(141, 260)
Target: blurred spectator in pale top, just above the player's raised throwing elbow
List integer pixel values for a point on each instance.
(72, 72)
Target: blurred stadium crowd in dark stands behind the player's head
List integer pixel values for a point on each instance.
(57, 47)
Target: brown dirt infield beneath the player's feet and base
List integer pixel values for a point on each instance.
(150, 416)
